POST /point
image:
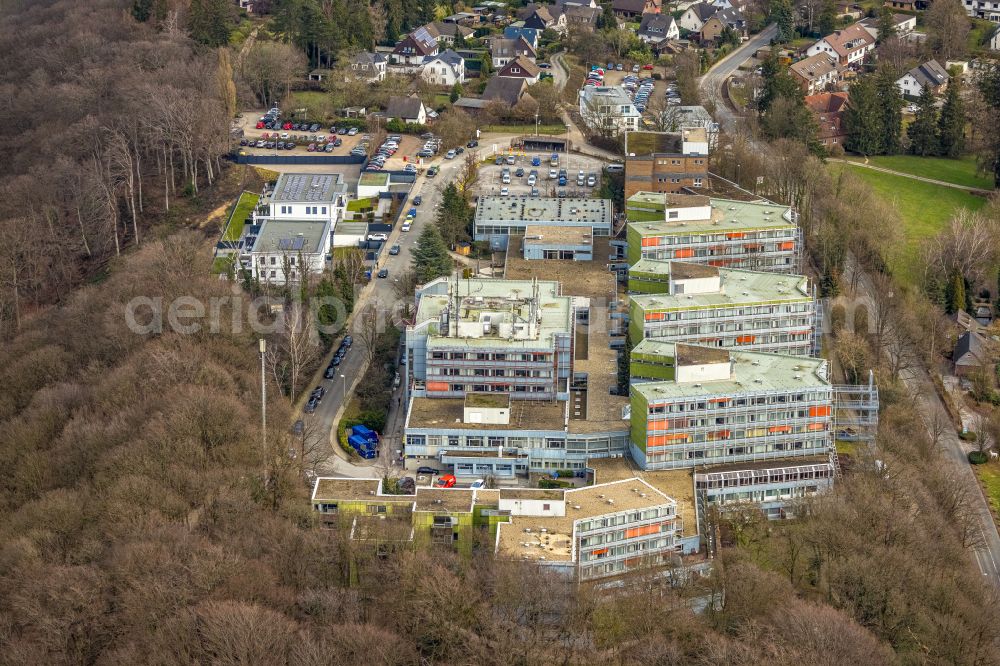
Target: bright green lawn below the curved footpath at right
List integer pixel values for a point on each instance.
(923, 207)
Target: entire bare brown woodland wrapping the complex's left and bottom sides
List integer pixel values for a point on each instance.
(142, 520)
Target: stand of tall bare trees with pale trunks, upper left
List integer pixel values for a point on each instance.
(107, 123)
